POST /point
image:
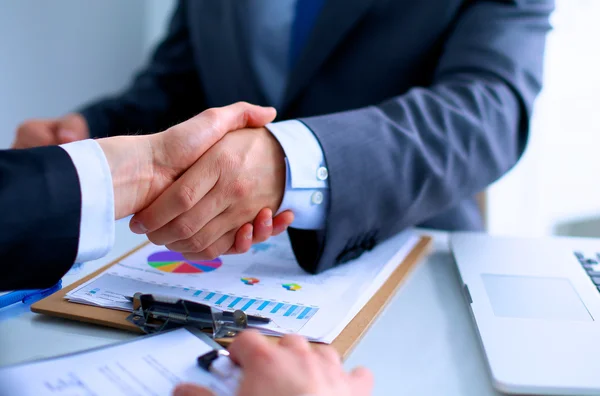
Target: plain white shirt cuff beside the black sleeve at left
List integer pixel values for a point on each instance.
(97, 227)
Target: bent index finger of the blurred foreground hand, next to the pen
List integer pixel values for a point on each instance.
(250, 348)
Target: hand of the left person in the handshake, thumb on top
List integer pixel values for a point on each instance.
(142, 167)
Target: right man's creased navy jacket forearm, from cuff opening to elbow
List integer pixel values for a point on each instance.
(398, 164)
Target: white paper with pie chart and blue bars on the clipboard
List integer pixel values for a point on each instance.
(267, 281)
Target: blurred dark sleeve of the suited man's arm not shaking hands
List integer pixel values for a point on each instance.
(166, 92)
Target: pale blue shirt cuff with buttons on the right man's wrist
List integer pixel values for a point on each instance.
(307, 188)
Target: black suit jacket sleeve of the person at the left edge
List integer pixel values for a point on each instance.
(40, 200)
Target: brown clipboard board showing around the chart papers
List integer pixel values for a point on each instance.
(56, 305)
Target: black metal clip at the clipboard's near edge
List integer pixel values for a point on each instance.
(153, 314)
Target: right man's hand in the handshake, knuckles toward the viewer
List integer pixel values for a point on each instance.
(201, 212)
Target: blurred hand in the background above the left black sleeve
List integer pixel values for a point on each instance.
(48, 132)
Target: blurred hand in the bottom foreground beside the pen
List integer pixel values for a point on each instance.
(291, 368)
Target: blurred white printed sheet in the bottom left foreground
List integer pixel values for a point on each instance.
(151, 366)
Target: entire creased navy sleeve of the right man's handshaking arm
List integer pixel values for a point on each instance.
(399, 163)
